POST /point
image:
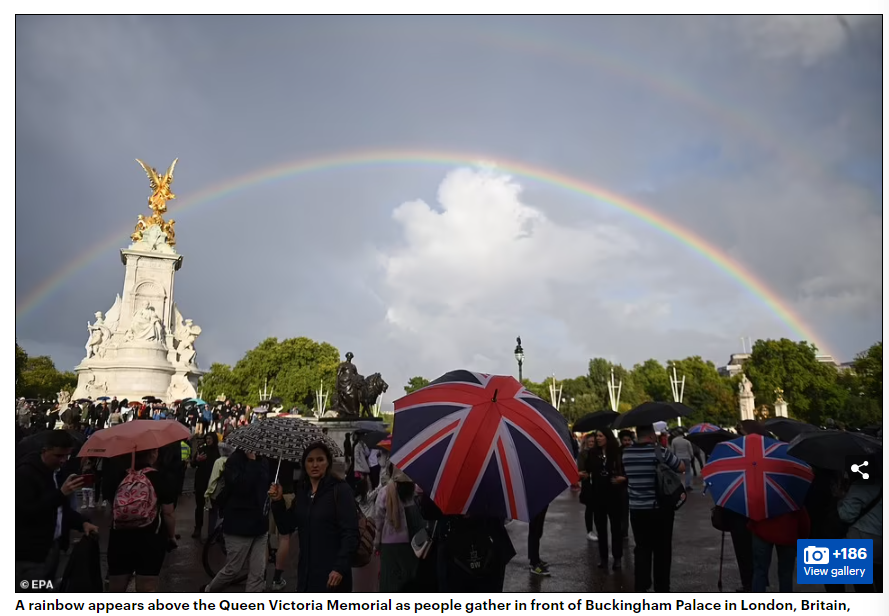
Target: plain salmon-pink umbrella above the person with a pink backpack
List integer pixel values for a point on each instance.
(133, 436)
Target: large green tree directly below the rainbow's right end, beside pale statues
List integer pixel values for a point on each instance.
(810, 387)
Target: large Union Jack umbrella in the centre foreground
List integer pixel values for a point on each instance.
(482, 444)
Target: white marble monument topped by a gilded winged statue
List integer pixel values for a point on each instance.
(142, 346)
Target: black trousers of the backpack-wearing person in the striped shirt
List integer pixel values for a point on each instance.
(653, 532)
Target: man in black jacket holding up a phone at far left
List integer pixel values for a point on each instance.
(43, 514)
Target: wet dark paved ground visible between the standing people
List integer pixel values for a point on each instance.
(573, 559)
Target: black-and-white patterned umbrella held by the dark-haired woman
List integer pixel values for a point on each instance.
(280, 437)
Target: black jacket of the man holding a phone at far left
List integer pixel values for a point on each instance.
(37, 500)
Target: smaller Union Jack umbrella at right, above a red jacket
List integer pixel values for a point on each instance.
(756, 477)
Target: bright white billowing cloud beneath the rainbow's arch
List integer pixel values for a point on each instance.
(474, 269)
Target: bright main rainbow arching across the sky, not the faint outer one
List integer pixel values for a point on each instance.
(353, 159)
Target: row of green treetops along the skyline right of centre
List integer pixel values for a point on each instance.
(814, 391)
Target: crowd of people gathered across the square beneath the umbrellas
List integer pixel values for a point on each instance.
(372, 528)
